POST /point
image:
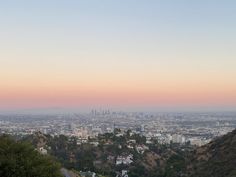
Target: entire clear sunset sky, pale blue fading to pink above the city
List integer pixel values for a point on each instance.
(127, 54)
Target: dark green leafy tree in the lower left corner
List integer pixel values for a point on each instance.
(21, 159)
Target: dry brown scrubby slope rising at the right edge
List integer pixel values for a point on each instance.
(216, 159)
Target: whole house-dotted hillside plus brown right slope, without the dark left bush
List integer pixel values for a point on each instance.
(110, 154)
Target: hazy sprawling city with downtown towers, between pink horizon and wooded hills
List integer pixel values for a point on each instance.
(194, 128)
